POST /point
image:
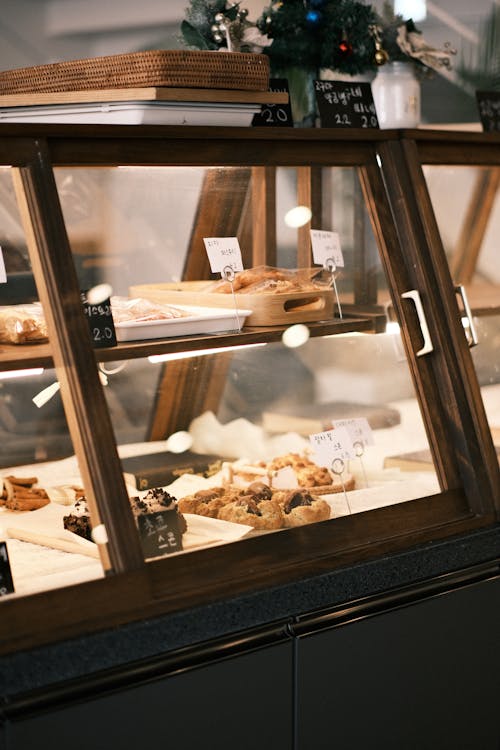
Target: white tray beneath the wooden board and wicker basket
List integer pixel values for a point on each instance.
(136, 113)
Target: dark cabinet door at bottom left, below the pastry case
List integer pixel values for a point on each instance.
(241, 702)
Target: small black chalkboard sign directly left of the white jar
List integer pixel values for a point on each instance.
(345, 105)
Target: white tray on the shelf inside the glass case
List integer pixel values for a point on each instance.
(200, 320)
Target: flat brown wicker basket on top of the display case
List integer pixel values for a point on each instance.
(171, 68)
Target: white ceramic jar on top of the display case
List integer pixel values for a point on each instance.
(396, 93)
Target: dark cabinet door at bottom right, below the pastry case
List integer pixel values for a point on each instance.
(425, 676)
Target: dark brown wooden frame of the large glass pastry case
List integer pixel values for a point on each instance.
(444, 379)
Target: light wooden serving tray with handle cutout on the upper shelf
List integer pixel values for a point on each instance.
(267, 309)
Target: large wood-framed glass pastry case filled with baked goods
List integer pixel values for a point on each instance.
(174, 433)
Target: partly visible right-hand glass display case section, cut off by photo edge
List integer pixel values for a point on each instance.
(462, 181)
